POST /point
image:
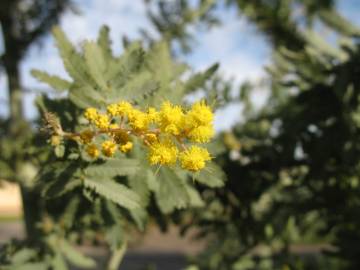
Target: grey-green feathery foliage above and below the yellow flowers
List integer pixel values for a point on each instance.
(111, 195)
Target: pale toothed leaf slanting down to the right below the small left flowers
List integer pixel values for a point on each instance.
(114, 192)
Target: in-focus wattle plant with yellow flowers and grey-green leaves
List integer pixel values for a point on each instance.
(116, 123)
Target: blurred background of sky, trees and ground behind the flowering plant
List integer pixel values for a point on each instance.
(287, 94)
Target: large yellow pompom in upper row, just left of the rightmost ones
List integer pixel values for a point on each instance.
(171, 118)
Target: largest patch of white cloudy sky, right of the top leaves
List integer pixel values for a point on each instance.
(229, 45)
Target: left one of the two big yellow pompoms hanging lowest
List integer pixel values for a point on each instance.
(163, 153)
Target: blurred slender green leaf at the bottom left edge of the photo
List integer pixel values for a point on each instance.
(75, 257)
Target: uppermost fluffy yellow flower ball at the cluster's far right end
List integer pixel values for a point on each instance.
(200, 114)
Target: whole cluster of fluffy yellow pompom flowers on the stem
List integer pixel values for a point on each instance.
(166, 132)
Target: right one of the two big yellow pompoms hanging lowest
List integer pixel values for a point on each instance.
(194, 159)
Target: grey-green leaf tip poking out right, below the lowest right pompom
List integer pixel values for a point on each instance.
(211, 176)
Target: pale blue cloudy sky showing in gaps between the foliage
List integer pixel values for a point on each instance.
(241, 51)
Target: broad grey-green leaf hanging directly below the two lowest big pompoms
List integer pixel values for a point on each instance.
(172, 193)
